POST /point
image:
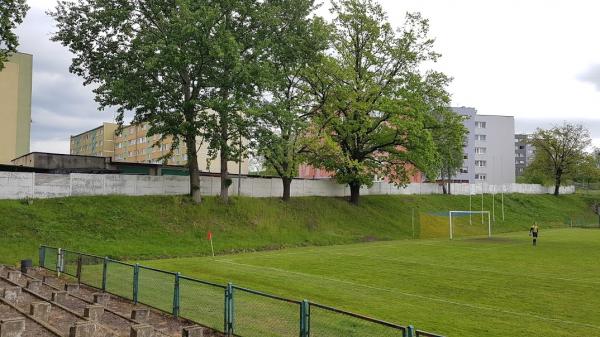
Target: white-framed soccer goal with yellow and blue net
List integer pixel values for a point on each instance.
(454, 224)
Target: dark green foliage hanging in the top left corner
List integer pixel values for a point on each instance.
(12, 13)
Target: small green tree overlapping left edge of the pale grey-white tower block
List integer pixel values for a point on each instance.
(449, 136)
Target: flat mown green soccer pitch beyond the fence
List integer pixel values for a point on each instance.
(467, 287)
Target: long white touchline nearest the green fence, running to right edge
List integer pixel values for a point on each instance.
(434, 299)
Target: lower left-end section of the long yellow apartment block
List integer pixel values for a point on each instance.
(96, 142)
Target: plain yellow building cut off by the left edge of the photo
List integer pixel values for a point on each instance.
(15, 107)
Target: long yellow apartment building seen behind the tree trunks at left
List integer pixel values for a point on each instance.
(133, 145)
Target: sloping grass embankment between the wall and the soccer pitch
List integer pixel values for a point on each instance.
(166, 226)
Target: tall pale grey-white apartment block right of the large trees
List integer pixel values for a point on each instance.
(490, 148)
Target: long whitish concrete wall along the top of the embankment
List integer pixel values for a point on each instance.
(18, 185)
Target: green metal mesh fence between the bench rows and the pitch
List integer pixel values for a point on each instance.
(229, 309)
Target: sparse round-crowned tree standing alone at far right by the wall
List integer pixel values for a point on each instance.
(560, 152)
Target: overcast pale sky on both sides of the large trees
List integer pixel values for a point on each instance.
(537, 60)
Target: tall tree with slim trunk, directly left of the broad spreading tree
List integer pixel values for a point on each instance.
(282, 118)
